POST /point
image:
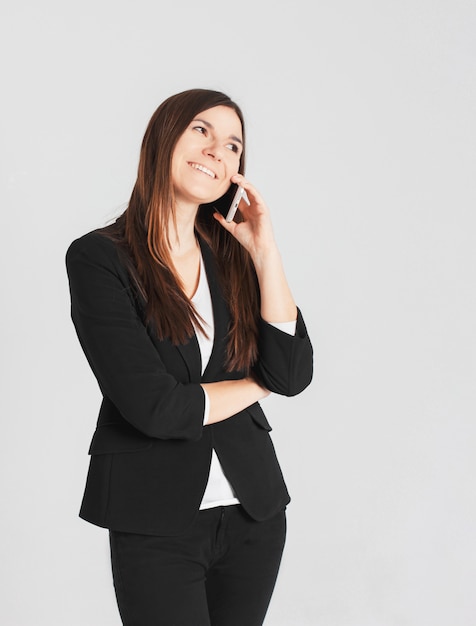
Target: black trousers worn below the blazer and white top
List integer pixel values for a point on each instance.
(221, 572)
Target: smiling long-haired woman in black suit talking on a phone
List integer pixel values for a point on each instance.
(187, 322)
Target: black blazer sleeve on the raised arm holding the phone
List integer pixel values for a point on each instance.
(285, 364)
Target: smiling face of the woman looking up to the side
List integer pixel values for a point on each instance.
(206, 156)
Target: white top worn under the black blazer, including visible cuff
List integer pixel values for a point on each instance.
(218, 491)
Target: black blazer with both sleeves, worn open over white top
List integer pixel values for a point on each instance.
(150, 453)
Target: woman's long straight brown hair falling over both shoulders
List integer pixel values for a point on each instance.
(142, 231)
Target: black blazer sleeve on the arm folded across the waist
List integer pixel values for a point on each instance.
(119, 349)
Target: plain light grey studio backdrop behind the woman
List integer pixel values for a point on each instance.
(361, 124)
